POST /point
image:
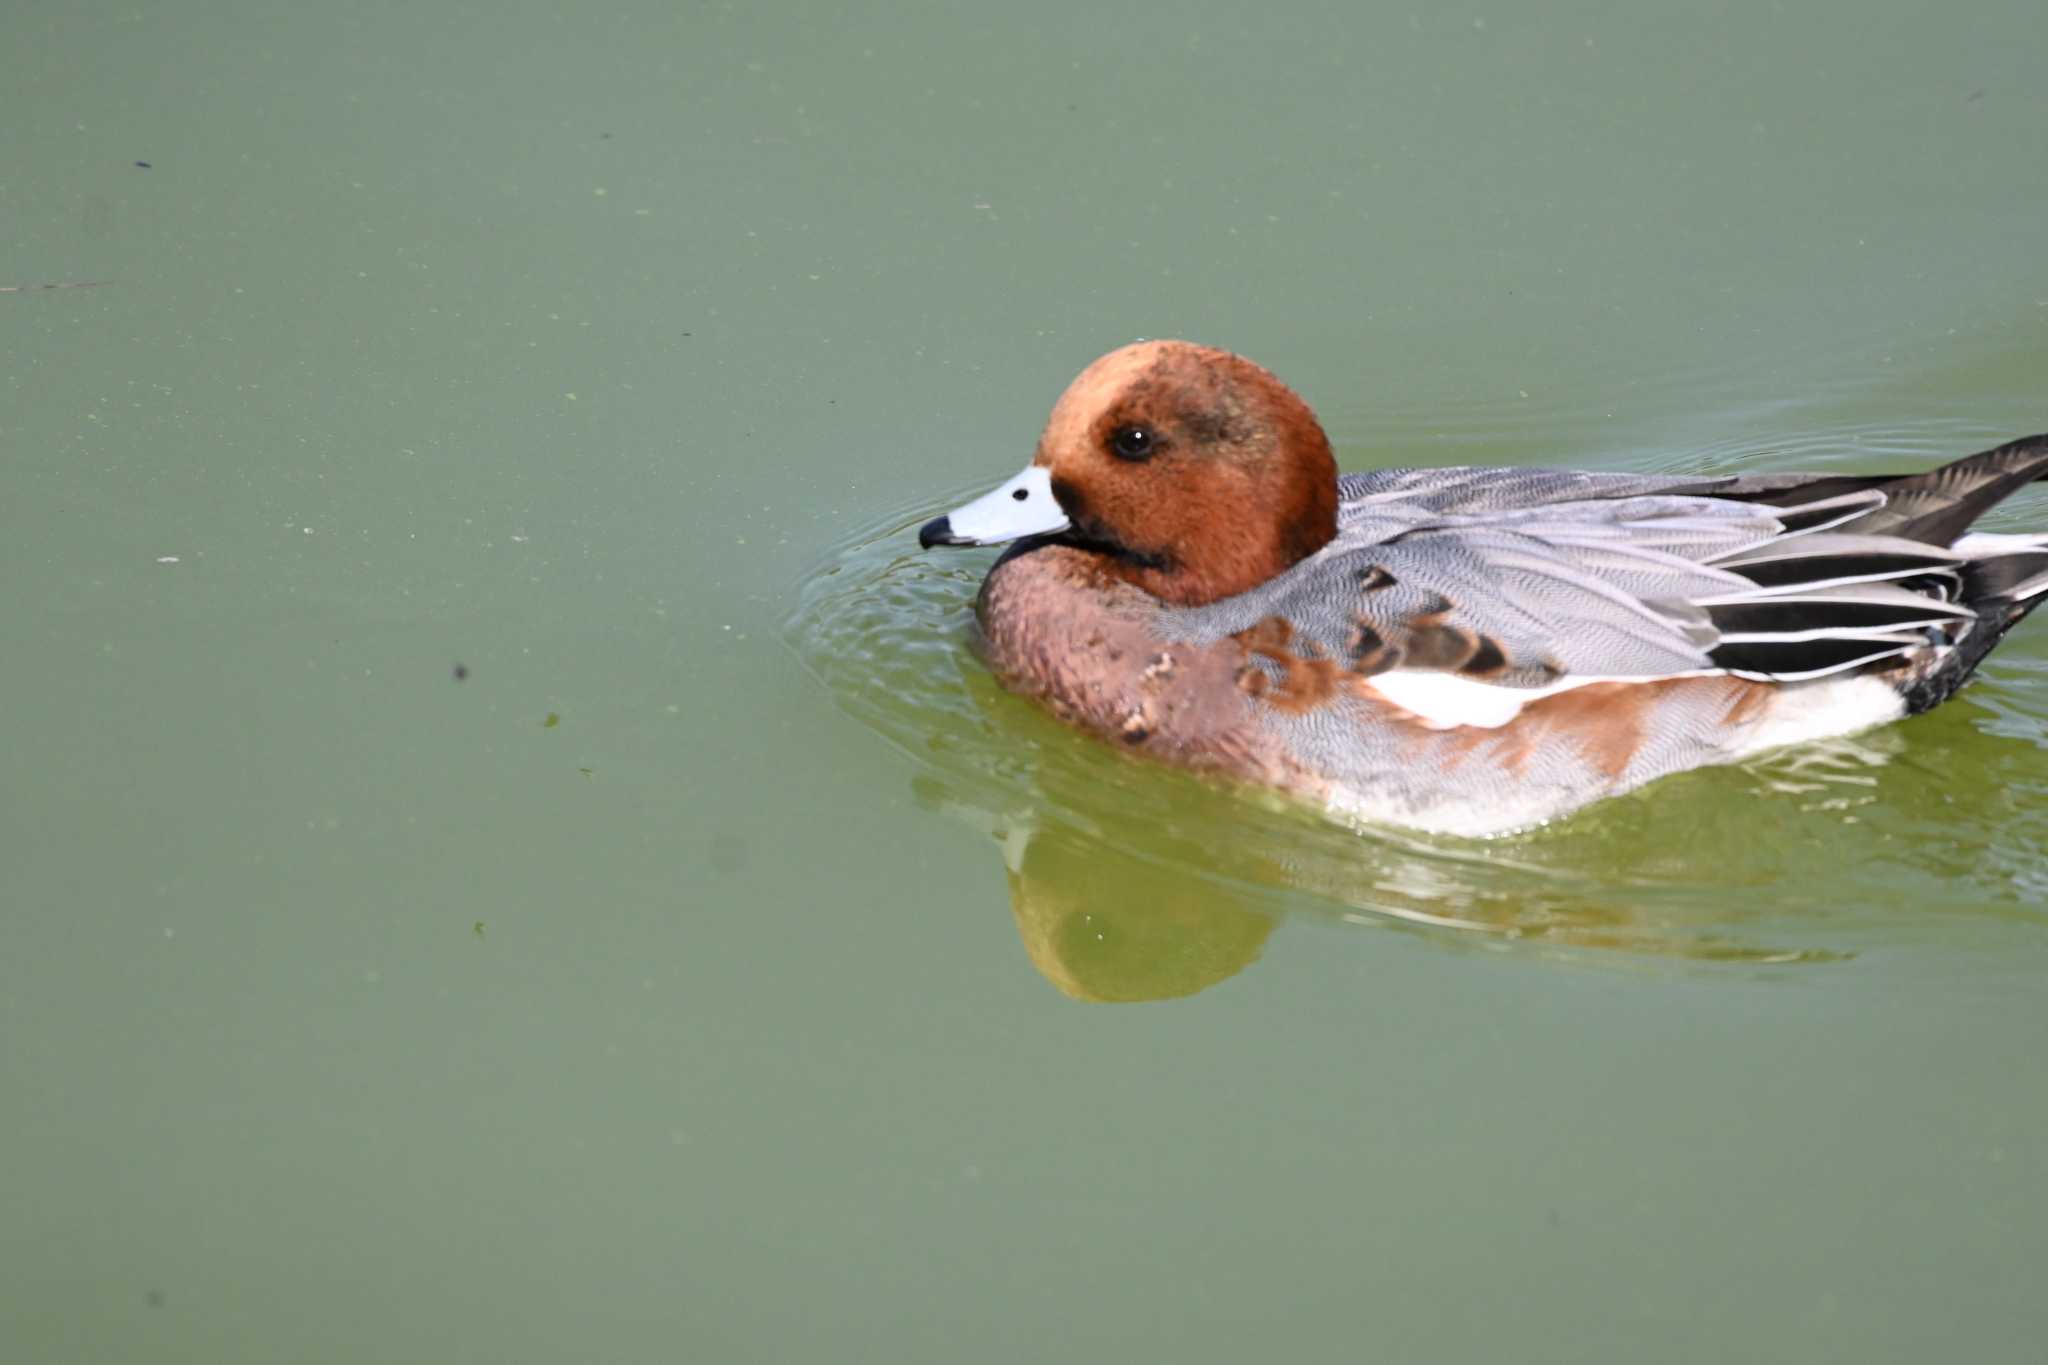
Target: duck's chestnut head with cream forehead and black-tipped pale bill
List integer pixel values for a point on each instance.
(1191, 472)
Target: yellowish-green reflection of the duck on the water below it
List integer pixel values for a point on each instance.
(1115, 922)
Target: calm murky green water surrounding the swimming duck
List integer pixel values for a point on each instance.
(507, 852)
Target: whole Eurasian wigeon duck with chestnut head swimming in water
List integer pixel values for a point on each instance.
(1463, 650)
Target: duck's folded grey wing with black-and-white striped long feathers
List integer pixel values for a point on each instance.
(1541, 578)
